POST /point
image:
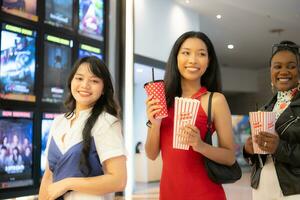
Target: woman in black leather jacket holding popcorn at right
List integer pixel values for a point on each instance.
(276, 176)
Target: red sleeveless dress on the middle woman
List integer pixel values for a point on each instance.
(184, 176)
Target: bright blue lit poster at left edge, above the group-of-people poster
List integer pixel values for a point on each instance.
(18, 63)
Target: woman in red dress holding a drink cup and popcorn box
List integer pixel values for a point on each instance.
(192, 72)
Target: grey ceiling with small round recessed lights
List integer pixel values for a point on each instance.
(247, 25)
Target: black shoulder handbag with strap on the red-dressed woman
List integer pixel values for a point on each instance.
(219, 173)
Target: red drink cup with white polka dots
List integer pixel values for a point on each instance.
(157, 90)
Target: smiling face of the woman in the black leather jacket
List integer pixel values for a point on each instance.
(284, 71)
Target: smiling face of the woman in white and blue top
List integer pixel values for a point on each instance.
(86, 88)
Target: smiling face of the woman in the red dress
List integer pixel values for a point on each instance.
(192, 59)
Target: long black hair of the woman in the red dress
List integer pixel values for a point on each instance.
(211, 78)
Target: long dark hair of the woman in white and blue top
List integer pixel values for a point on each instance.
(105, 103)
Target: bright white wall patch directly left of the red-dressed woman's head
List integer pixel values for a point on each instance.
(158, 23)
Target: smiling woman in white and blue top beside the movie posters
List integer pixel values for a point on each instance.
(85, 150)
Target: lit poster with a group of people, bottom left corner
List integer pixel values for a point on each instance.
(16, 134)
